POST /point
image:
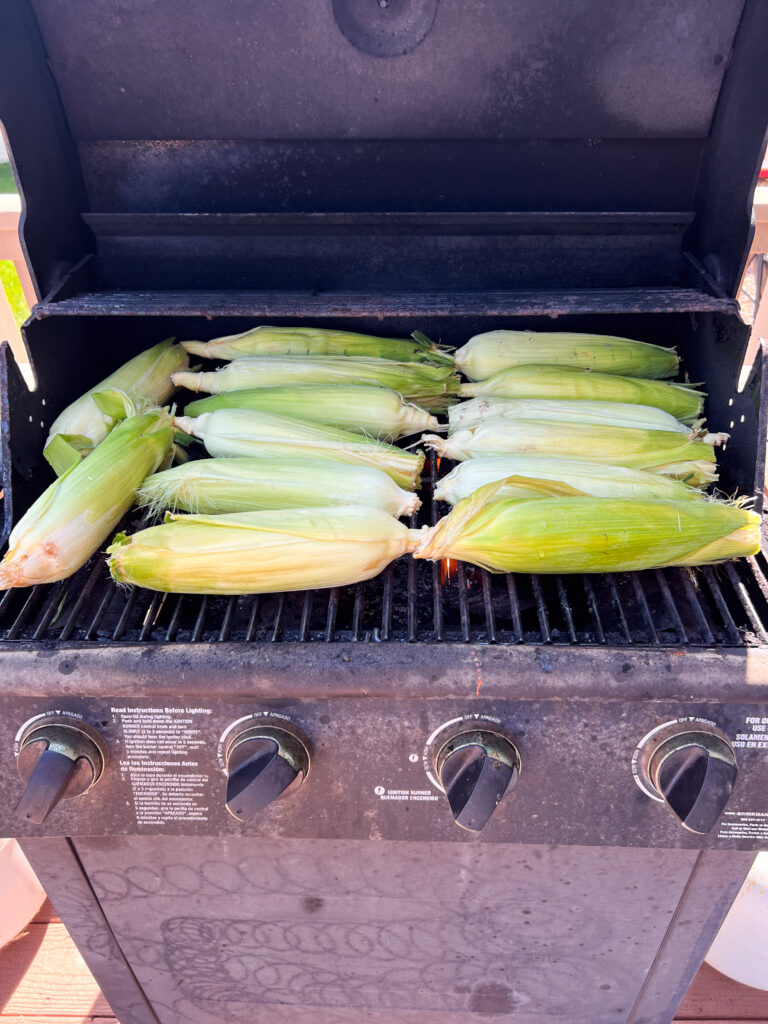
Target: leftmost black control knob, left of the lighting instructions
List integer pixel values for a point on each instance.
(59, 760)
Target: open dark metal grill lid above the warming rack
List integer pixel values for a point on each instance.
(154, 121)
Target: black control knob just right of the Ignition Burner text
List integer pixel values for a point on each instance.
(477, 769)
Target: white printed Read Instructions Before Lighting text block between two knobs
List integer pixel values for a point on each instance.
(160, 762)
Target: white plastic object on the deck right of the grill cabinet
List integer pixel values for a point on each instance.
(741, 948)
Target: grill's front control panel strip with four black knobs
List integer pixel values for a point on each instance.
(534, 772)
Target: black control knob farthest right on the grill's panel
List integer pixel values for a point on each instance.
(695, 772)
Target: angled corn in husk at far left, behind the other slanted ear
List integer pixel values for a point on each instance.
(143, 382)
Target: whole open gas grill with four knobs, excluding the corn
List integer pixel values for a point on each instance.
(457, 169)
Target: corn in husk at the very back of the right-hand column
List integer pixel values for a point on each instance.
(486, 355)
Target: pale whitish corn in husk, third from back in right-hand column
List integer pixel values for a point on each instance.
(468, 414)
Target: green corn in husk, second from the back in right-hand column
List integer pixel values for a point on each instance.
(680, 401)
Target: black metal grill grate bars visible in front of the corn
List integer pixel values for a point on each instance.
(415, 603)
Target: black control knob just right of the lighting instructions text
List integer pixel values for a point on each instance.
(265, 763)
